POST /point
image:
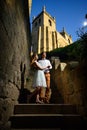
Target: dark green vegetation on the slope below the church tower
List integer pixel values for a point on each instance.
(75, 51)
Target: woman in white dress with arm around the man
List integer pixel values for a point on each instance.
(39, 77)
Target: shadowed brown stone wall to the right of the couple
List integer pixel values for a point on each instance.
(69, 80)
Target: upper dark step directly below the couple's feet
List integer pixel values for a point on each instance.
(44, 109)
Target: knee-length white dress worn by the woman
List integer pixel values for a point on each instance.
(39, 78)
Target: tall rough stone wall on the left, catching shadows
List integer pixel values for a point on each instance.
(14, 53)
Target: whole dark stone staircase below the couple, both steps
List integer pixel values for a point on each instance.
(46, 116)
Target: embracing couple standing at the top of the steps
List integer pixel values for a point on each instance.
(41, 79)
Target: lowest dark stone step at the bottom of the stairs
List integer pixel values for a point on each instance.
(39, 121)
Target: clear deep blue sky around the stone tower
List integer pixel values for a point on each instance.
(69, 14)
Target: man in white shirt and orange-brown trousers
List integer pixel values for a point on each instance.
(46, 62)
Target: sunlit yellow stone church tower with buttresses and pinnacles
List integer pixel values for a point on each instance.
(45, 37)
